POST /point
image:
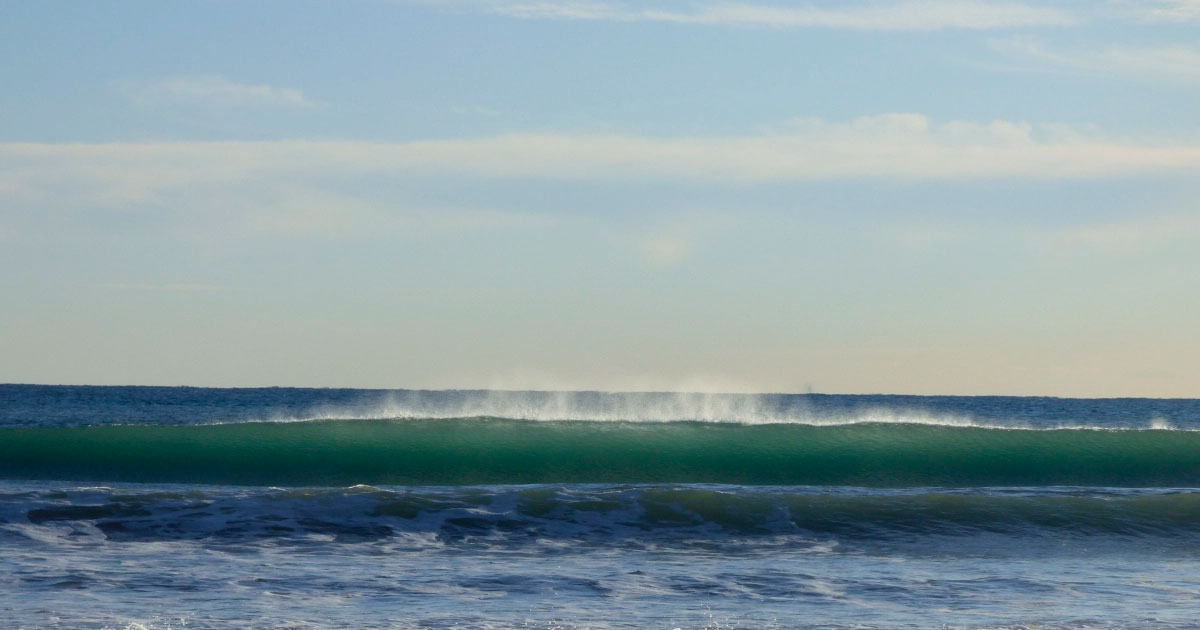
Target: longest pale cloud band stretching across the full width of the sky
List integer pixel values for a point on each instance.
(891, 146)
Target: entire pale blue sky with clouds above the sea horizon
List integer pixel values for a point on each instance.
(944, 197)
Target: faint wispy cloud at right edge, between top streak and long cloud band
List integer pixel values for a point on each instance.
(1162, 63)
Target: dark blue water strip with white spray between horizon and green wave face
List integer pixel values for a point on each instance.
(39, 406)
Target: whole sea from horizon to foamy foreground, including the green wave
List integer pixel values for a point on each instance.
(134, 508)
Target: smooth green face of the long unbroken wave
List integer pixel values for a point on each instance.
(482, 452)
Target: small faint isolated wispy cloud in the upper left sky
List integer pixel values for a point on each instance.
(214, 91)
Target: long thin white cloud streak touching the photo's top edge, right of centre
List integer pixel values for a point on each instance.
(904, 15)
